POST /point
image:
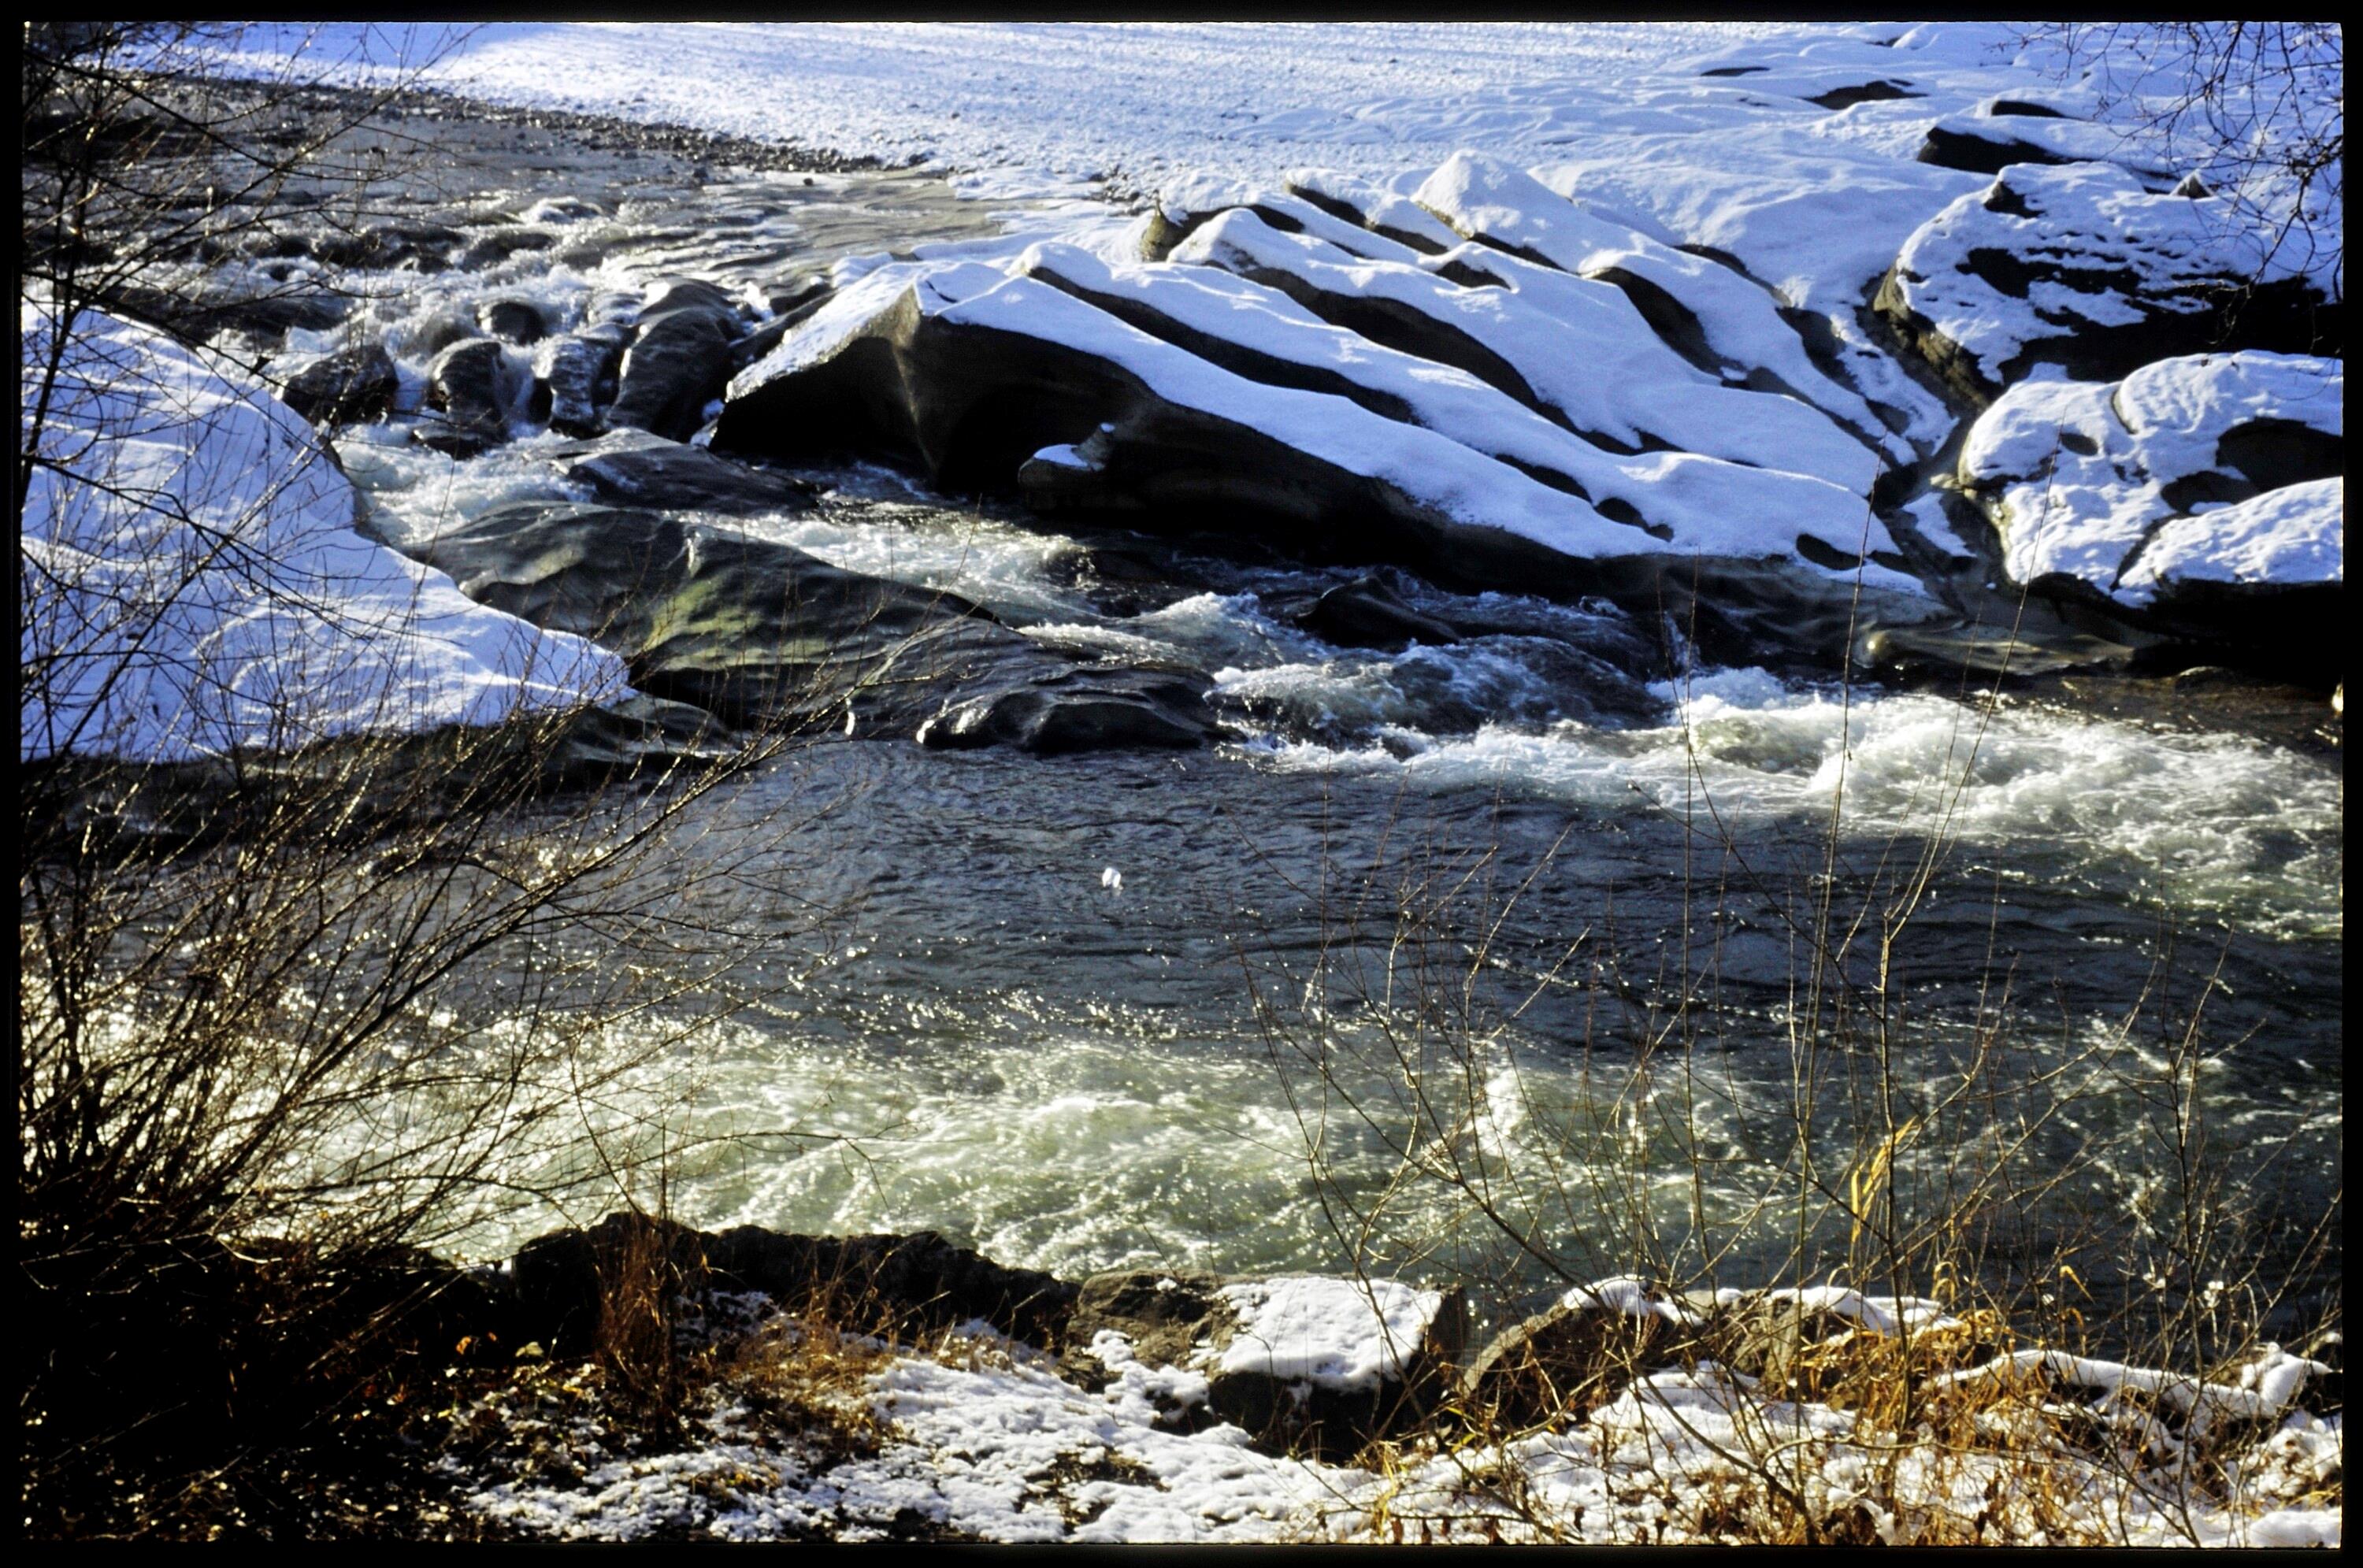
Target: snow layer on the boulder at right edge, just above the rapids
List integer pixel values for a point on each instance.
(2081, 471)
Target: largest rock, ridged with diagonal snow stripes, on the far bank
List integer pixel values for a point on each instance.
(1272, 377)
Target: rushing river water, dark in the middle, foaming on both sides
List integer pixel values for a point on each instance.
(1502, 913)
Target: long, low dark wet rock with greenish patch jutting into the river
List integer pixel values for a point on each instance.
(764, 634)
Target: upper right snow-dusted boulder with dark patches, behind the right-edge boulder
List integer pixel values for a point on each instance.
(2090, 270)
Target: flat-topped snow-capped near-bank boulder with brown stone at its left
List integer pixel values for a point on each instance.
(1303, 1364)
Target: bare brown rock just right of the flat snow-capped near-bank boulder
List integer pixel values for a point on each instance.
(1568, 1361)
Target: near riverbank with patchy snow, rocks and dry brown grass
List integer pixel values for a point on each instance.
(1199, 1409)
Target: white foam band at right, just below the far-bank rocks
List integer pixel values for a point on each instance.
(2208, 823)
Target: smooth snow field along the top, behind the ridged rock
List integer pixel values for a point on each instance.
(1643, 122)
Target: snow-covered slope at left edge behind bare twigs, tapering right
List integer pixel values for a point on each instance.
(195, 582)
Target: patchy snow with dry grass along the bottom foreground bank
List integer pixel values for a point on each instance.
(987, 1439)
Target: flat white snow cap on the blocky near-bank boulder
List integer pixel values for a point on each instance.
(1341, 1335)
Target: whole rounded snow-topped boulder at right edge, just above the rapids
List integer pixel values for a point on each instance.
(2203, 492)
